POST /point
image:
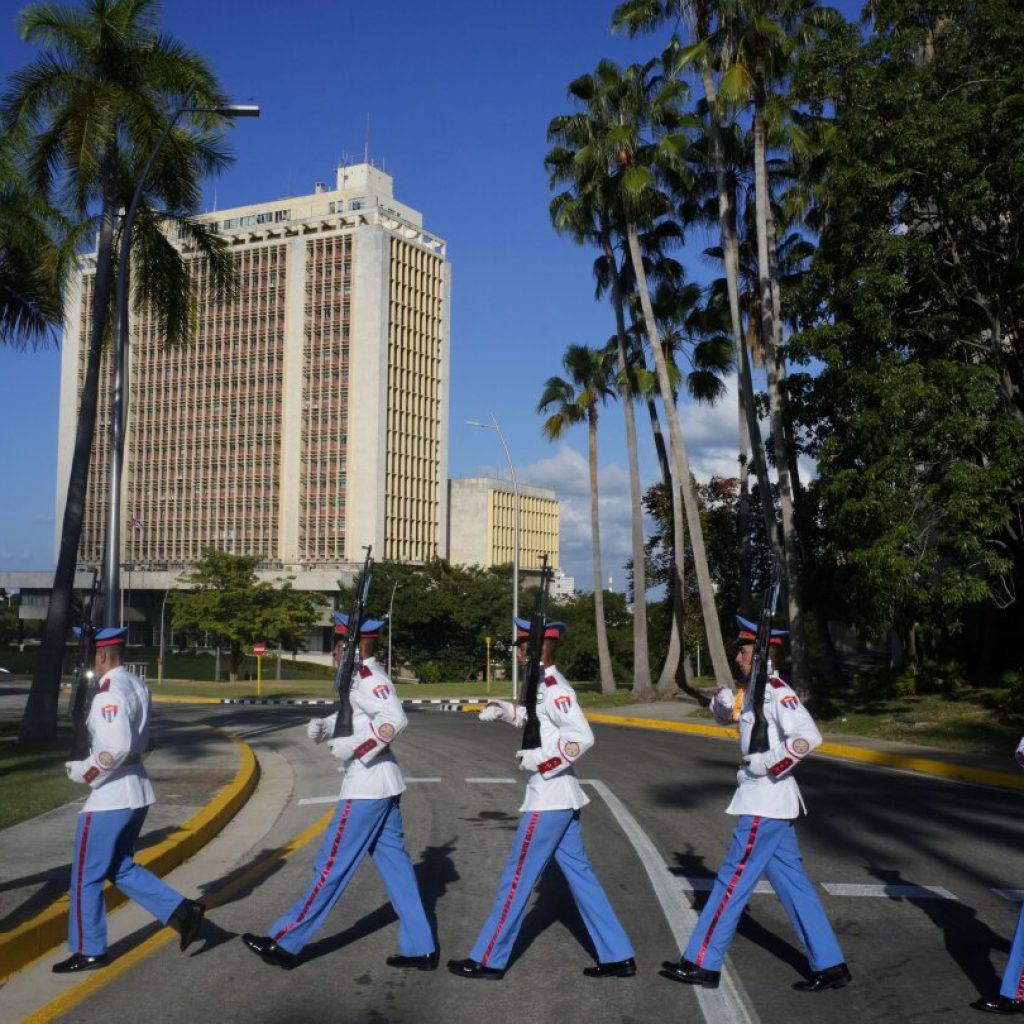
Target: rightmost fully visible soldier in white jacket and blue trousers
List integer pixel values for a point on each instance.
(766, 802)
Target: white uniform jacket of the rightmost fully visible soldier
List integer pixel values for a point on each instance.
(766, 785)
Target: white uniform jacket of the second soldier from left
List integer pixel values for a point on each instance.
(372, 772)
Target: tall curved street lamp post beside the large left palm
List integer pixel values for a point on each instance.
(112, 570)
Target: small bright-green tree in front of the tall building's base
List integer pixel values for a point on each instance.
(226, 599)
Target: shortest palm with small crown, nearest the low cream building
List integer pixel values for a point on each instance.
(568, 403)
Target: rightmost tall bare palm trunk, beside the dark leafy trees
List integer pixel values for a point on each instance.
(769, 336)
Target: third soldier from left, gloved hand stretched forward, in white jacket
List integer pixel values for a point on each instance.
(549, 828)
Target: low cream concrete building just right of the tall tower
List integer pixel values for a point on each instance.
(482, 524)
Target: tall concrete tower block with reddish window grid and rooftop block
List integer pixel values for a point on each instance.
(310, 416)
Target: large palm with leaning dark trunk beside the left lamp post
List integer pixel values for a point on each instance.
(95, 105)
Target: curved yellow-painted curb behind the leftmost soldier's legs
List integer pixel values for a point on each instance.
(39, 935)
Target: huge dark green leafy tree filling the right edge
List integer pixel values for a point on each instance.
(914, 307)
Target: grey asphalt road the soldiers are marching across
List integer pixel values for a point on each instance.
(911, 868)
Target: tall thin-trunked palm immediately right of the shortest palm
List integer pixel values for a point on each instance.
(582, 211)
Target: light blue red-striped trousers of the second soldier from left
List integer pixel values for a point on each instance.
(359, 828)
